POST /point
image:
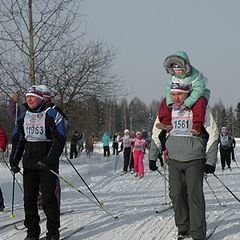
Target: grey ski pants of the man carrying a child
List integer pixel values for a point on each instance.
(186, 193)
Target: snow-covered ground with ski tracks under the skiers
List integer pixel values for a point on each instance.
(133, 200)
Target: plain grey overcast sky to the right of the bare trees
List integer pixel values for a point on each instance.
(145, 32)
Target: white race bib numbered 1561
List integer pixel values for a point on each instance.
(181, 122)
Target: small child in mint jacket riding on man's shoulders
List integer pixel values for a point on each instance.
(184, 74)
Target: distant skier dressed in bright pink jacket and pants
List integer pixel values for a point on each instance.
(139, 145)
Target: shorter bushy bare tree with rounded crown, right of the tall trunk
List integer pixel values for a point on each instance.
(82, 71)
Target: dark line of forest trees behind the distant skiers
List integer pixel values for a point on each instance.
(97, 116)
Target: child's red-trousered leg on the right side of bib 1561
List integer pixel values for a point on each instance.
(199, 111)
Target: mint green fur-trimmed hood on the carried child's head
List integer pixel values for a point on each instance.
(180, 58)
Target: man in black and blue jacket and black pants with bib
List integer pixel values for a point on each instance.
(39, 139)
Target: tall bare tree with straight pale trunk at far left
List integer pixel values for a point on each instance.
(29, 33)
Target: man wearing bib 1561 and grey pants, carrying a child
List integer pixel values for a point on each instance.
(188, 158)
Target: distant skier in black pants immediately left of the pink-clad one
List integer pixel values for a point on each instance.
(127, 151)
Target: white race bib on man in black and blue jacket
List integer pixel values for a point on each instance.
(34, 126)
